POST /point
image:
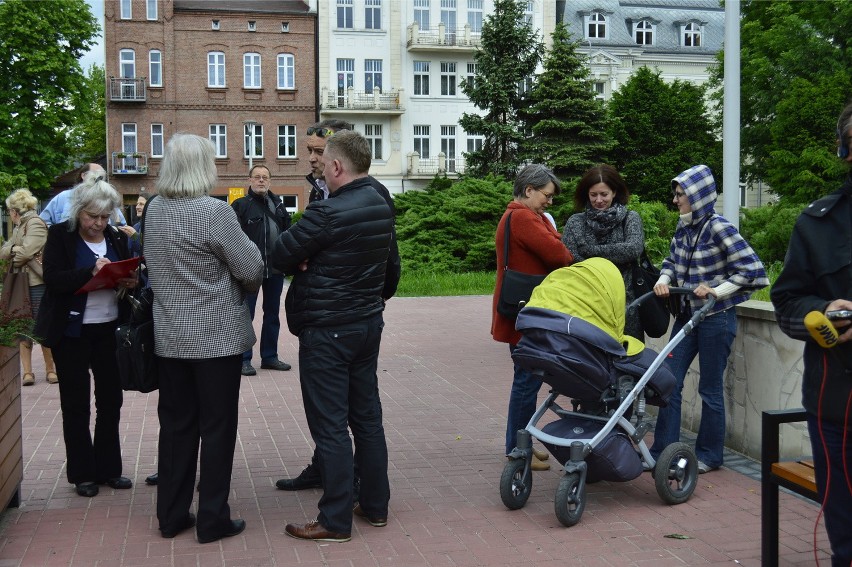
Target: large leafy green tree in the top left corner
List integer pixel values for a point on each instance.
(40, 43)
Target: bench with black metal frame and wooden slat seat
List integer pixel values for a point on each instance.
(797, 476)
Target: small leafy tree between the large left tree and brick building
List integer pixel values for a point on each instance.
(88, 133)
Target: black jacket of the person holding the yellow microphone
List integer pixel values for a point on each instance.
(818, 270)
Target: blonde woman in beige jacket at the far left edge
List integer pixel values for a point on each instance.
(24, 248)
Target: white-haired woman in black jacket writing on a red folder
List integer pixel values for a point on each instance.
(81, 331)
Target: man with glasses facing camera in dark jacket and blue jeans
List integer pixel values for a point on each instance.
(263, 217)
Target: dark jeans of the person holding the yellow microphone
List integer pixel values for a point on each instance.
(829, 466)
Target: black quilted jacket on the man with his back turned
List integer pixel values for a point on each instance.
(345, 239)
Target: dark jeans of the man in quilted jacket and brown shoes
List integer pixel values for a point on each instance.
(337, 370)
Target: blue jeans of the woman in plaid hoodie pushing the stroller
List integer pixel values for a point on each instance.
(711, 340)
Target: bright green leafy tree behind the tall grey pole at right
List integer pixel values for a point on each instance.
(795, 79)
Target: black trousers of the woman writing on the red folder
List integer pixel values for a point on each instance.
(98, 458)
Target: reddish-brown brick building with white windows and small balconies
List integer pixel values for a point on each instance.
(241, 72)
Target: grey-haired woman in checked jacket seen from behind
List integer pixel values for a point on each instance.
(200, 265)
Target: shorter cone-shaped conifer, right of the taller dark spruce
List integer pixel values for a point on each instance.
(569, 124)
